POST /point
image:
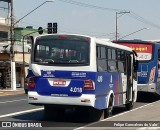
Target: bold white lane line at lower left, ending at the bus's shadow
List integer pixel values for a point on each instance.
(21, 112)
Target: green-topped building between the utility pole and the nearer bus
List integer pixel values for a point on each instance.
(21, 40)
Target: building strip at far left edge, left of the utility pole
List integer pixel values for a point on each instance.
(4, 42)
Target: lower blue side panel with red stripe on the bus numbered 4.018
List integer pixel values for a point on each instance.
(105, 84)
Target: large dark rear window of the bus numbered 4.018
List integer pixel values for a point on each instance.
(67, 50)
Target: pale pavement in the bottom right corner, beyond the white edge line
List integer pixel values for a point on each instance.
(146, 117)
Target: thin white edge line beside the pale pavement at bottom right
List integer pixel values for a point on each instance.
(83, 127)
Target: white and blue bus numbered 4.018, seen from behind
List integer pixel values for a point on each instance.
(77, 71)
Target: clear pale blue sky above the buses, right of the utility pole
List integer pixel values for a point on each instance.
(94, 17)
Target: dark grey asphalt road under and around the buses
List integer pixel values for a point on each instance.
(16, 108)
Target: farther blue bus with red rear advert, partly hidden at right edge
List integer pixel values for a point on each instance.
(149, 64)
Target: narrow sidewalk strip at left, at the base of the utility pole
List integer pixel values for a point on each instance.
(8, 91)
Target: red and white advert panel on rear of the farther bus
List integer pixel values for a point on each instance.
(144, 51)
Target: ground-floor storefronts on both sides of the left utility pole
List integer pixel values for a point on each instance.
(5, 70)
